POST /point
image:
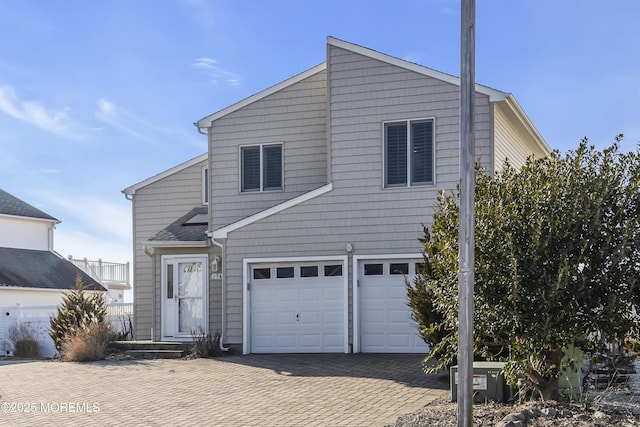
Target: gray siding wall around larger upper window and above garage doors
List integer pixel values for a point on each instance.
(364, 93)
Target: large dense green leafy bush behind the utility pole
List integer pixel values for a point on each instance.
(557, 246)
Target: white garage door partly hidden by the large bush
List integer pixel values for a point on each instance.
(386, 325)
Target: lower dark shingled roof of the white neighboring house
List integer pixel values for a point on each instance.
(26, 268)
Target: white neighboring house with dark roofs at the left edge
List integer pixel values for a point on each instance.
(31, 273)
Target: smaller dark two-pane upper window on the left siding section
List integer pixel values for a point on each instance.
(261, 167)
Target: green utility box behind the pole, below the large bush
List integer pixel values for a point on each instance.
(489, 383)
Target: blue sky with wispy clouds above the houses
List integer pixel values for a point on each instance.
(97, 96)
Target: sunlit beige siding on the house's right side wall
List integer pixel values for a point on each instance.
(512, 141)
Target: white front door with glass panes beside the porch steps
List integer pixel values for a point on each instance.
(184, 280)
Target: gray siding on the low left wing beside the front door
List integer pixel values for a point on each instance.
(154, 207)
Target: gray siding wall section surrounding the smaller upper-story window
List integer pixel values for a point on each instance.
(295, 117)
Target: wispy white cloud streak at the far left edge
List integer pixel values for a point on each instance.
(34, 113)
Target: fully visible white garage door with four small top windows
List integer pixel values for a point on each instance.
(297, 308)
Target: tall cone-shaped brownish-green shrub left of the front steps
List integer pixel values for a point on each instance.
(80, 315)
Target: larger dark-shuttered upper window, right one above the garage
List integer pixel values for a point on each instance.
(408, 153)
